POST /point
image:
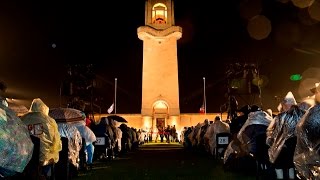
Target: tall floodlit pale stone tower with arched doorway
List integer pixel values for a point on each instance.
(160, 86)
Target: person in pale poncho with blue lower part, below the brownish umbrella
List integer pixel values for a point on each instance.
(88, 136)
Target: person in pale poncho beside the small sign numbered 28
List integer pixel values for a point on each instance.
(216, 127)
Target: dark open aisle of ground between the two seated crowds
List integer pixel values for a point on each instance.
(163, 162)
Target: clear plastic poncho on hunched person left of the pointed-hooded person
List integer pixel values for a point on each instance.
(254, 119)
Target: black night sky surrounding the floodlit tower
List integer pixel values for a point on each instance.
(104, 34)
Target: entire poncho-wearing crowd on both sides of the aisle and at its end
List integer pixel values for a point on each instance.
(285, 145)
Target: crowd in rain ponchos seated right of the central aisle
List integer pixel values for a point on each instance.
(285, 145)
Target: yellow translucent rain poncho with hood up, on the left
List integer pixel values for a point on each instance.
(41, 125)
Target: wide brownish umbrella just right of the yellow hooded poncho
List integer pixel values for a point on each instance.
(66, 114)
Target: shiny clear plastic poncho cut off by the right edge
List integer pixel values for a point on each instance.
(307, 152)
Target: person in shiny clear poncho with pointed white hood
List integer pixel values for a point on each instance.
(280, 134)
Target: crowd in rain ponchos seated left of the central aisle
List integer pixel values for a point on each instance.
(40, 143)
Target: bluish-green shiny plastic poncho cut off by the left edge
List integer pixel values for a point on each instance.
(16, 146)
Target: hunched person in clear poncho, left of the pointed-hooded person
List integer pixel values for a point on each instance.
(256, 124)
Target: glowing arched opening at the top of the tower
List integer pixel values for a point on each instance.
(159, 14)
